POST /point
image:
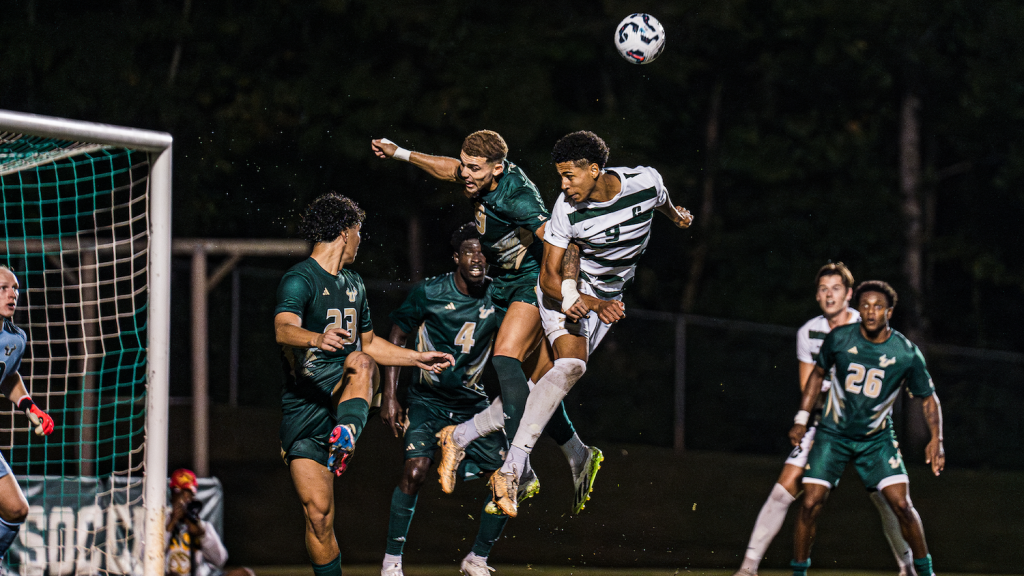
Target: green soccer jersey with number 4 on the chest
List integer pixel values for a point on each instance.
(447, 320)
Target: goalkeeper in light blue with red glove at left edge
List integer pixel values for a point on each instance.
(14, 507)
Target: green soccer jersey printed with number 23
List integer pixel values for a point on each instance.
(323, 302)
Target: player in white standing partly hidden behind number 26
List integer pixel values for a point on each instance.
(835, 287)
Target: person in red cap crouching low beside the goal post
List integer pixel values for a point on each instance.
(192, 546)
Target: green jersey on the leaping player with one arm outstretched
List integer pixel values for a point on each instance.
(507, 220)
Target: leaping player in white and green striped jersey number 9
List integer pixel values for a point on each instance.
(608, 214)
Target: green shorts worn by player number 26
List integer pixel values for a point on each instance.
(878, 461)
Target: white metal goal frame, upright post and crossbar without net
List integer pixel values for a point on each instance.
(159, 330)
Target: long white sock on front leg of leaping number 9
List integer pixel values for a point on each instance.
(543, 401)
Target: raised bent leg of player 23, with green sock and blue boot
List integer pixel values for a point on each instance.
(353, 397)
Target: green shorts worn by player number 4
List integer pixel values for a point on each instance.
(424, 421)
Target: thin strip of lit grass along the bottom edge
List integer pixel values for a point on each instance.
(500, 570)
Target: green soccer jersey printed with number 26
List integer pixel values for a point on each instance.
(869, 380)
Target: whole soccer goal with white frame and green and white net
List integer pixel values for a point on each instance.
(87, 226)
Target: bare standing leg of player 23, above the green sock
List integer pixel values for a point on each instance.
(315, 485)
